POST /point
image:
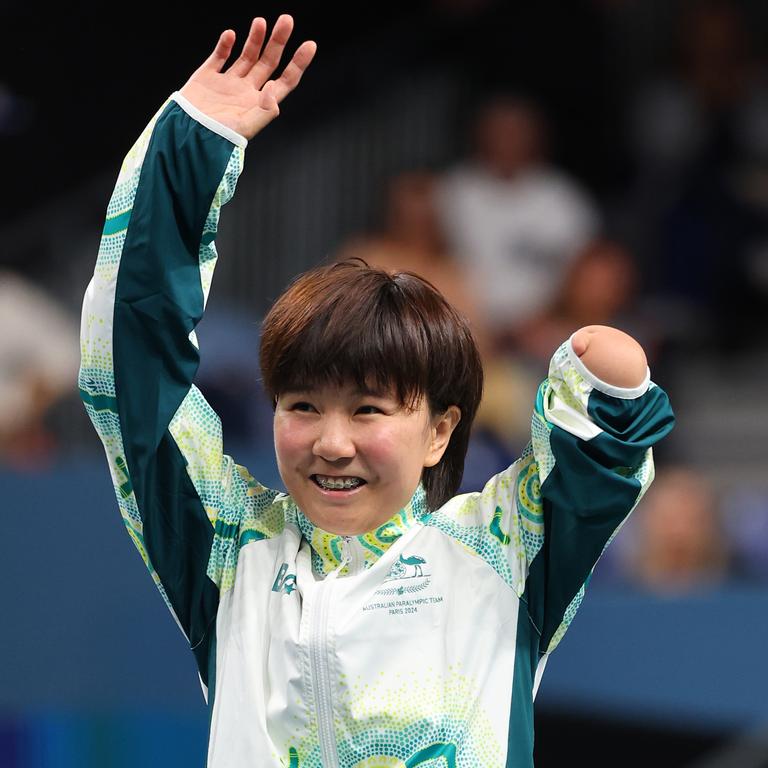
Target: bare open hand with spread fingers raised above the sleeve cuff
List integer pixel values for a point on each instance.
(245, 98)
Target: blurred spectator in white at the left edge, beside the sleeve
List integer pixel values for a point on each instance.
(39, 359)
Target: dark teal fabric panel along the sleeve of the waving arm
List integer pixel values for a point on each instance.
(159, 300)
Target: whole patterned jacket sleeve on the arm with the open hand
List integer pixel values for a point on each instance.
(176, 490)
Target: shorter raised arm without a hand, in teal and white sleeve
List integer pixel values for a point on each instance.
(596, 418)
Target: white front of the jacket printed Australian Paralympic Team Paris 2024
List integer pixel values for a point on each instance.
(400, 654)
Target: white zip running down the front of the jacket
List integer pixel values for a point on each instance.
(318, 662)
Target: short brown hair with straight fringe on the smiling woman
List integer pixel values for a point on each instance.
(350, 322)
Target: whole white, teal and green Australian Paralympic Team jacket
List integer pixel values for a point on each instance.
(418, 644)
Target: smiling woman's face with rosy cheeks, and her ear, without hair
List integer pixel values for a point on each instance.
(342, 433)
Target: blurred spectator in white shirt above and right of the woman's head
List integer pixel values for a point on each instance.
(514, 220)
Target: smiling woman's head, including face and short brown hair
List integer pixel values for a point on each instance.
(347, 336)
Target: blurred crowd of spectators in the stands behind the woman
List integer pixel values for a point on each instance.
(528, 254)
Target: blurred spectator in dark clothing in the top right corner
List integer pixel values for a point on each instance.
(700, 137)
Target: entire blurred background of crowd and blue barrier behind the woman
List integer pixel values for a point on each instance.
(546, 165)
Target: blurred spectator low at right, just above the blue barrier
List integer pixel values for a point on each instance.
(675, 541)
